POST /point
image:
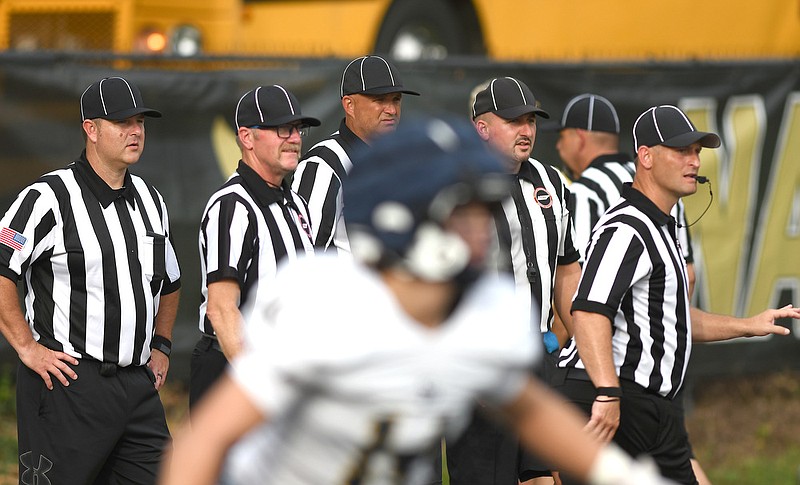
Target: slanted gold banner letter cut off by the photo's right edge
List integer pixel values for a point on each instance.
(775, 265)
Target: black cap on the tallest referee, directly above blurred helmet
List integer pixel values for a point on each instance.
(372, 75)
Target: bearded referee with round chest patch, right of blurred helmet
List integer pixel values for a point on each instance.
(536, 238)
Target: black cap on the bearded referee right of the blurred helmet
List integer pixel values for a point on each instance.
(508, 98)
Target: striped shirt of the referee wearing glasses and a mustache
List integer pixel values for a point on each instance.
(247, 229)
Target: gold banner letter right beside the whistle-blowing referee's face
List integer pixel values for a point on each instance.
(722, 237)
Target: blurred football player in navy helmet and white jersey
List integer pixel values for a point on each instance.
(362, 395)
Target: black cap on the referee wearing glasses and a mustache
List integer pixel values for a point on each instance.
(270, 106)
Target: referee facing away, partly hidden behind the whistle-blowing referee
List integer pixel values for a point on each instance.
(588, 144)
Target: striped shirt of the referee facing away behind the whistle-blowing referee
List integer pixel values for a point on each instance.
(599, 187)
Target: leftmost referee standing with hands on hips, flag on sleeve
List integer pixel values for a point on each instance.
(91, 244)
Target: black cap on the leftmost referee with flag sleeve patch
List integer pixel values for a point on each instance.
(113, 98)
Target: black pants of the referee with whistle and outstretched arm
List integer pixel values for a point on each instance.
(649, 424)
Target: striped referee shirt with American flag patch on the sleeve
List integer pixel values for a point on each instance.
(94, 262)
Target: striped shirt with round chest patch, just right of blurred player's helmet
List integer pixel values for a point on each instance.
(535, 235)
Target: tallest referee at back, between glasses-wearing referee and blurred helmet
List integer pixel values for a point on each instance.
(372, 96)
